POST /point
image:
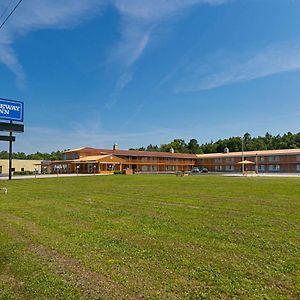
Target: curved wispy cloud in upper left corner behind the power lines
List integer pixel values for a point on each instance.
(38, 14)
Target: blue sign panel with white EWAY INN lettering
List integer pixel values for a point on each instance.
(11, 110)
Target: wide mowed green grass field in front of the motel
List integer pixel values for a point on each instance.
(150, 237)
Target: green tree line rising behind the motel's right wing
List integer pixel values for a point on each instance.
(266, 142)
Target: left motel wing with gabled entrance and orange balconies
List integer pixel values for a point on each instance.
(92, 160)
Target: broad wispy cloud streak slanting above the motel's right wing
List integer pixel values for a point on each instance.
(229, 68)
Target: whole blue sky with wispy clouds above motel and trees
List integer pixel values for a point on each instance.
(135, 72)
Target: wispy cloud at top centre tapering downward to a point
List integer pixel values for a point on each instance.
(139, 22)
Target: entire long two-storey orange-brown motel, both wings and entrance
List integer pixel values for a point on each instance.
(91, 160)
